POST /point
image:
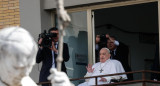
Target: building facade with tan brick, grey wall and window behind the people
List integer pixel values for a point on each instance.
(134, 22)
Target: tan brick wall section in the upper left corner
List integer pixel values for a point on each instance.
(9, 13)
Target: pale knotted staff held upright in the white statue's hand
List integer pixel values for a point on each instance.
(63, 21)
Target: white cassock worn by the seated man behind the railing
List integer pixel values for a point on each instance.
(108, 67)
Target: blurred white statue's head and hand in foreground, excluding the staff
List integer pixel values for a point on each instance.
(17, 57)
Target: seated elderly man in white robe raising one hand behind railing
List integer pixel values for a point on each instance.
(104, 67)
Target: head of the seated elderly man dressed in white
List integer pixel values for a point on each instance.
(104, 55)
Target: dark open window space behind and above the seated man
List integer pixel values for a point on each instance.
(134, 25)
